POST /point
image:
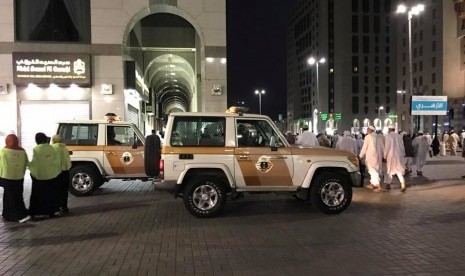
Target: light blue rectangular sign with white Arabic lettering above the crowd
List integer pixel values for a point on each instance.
(429, 105)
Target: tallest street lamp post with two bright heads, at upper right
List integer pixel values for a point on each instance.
(413, 11)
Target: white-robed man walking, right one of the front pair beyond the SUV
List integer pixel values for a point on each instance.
(394, 153)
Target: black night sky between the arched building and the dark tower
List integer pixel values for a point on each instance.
(256, 43)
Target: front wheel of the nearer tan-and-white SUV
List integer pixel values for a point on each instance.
(331, 193)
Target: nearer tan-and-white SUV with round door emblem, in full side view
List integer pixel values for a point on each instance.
(210, 155)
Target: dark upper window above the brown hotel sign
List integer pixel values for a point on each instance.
(53, 20)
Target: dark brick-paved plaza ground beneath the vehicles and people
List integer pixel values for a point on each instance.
(136, 228)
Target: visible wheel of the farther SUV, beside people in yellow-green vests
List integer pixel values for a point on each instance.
(83, 180)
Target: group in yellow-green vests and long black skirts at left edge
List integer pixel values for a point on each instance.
(49, 169)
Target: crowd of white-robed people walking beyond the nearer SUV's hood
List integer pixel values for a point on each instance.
(381, 155)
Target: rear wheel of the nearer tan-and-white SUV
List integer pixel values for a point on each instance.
(204, 196)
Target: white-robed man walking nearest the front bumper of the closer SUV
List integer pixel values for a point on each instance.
(372, 158)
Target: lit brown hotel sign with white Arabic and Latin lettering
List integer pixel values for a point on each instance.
(46, 68)
